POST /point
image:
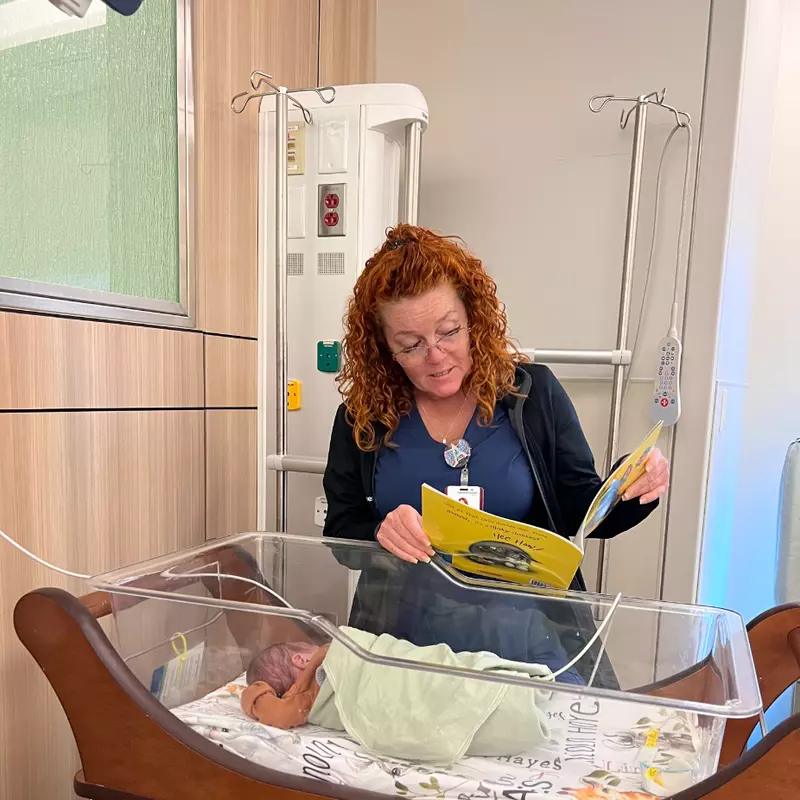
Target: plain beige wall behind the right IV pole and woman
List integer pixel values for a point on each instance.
(516, 164)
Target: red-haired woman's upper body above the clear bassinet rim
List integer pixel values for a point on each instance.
(427, 363)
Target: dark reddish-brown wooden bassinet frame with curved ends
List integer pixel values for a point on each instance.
(132, 748)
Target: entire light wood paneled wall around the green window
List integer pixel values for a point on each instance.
(120, 442)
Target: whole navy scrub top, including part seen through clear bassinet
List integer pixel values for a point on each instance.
(430, 610)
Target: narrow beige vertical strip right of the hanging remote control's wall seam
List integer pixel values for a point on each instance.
(691, 484)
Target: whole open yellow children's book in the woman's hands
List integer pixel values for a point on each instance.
(482, 544)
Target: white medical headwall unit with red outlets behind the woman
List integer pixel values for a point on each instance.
(352, 156)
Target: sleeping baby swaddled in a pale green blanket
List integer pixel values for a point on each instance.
(407, 713)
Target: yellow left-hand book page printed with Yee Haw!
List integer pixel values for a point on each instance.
(482, 544)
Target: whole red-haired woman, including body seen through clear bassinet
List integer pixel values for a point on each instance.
(428, 364)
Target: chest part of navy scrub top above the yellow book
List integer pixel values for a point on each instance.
(498, 464)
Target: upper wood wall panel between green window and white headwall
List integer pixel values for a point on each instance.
(235, 37)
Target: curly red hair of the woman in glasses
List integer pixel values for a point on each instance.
(410, 262)
